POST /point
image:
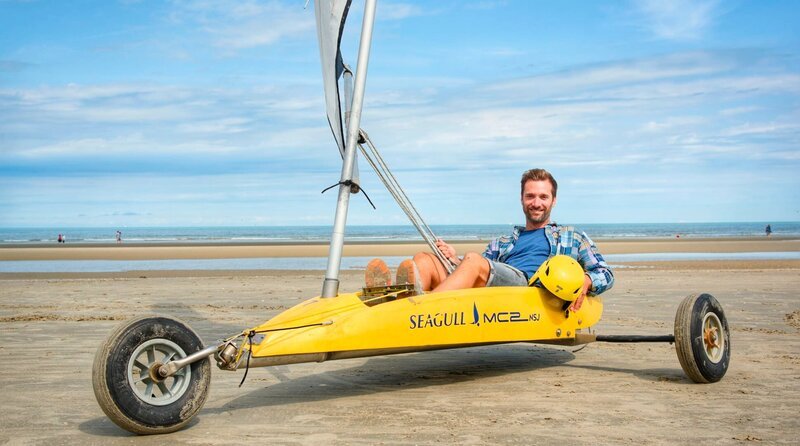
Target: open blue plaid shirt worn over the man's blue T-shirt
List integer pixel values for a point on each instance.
(563, 240)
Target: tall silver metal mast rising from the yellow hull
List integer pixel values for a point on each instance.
(330, 287)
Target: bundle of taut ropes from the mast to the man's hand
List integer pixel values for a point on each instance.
(382, 170)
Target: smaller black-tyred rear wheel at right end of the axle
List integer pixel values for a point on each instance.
(702, 338)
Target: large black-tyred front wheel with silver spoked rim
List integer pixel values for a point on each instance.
(134, 400)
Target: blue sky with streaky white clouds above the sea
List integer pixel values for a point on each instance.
(197, 113)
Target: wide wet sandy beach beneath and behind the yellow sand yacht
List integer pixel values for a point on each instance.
(51, 325)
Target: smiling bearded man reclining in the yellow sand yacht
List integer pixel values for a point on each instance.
(512, 259)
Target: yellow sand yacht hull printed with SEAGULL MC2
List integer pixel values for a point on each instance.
(347, 326)
